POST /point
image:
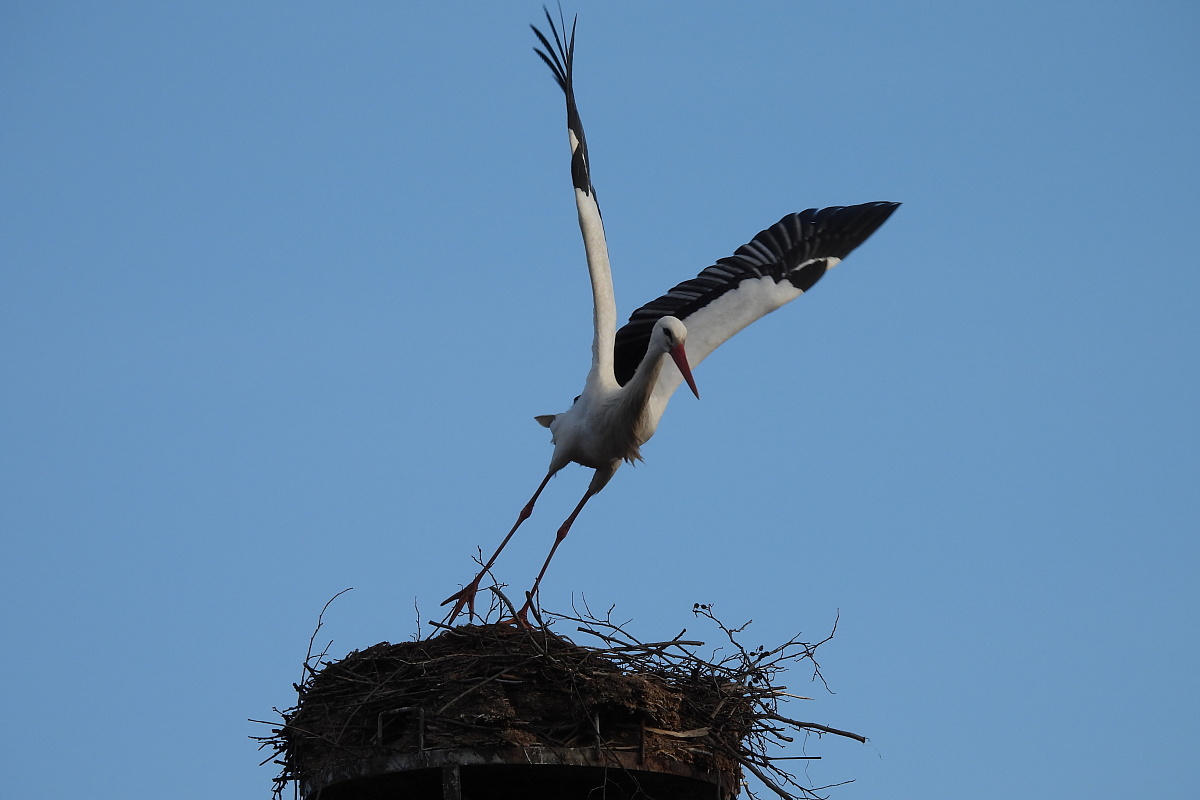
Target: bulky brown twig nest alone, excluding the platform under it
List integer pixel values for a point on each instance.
(494, 687)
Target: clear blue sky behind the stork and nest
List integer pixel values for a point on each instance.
(283, 286)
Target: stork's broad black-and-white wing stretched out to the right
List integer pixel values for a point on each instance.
(778, 266)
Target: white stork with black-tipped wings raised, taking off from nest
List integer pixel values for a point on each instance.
(632, 380)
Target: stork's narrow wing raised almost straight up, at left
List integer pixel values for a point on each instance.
(561, 61)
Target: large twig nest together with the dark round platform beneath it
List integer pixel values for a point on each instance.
(497, 712)
